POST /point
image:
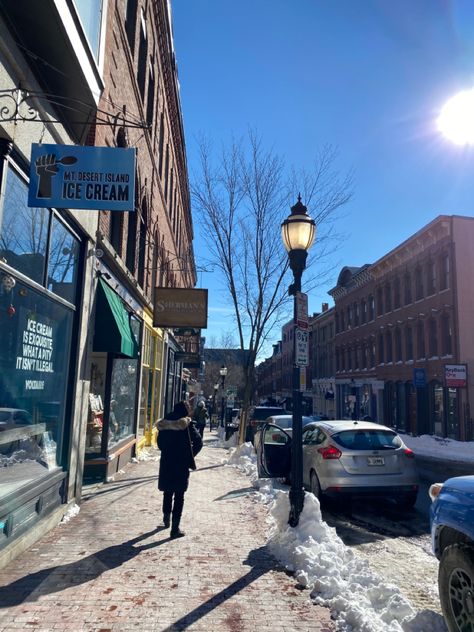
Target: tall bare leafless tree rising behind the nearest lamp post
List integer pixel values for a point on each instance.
(241, 196)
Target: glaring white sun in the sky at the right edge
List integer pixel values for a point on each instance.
(456, 120)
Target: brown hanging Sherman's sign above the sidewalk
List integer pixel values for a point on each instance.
(179, 307)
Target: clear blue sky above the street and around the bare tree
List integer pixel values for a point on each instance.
(367, 76)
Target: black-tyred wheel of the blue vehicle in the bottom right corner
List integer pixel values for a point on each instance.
(456, 587)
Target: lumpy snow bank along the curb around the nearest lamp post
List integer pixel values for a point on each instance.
(359, 599)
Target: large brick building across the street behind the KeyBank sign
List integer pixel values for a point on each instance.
(399, 322)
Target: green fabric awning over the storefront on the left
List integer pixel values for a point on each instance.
(112, 332)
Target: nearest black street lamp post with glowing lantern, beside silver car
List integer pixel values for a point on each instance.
(298, 232)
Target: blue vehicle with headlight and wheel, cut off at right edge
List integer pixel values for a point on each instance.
(452, 537)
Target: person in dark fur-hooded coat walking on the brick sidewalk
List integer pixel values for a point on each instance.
(179, 442)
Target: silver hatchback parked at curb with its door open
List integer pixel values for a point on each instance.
(344, 458)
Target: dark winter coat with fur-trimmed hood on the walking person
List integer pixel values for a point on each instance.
(179, 442)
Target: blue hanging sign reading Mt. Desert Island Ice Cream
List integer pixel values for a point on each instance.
(88, 178)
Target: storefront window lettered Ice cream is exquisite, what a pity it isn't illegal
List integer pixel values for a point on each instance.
(34, 358)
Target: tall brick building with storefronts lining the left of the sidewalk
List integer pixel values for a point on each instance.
(83, 371)
